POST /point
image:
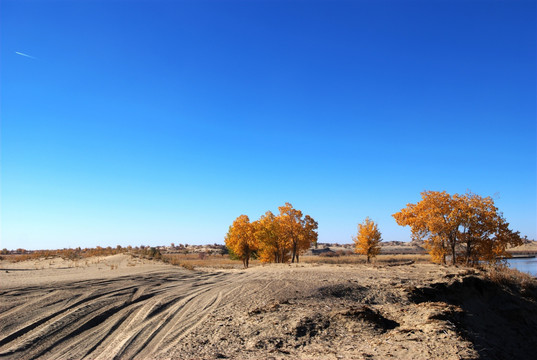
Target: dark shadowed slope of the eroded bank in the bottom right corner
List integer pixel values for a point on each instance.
(499, 320)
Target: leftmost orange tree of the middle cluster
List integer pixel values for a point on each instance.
(241, 239)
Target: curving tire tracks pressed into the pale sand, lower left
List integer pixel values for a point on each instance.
(126, 317)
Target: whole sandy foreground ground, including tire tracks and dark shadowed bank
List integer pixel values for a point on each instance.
(122, 308)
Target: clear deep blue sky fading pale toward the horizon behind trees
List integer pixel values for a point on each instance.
(151, 122)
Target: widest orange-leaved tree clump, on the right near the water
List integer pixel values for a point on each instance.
(467, 225)
